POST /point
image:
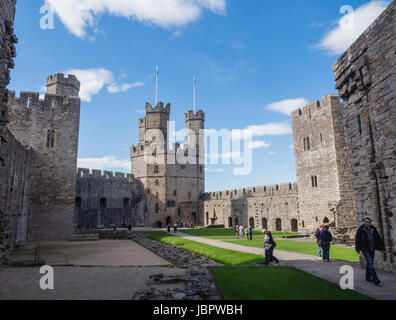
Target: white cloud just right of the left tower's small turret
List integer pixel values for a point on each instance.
(94, 80)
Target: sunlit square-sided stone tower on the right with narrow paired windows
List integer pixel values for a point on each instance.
(323, 167)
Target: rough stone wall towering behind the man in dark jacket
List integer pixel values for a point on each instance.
(366, 79)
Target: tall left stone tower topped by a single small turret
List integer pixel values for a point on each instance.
(50, 127)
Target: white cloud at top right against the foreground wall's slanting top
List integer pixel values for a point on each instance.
(340, 38)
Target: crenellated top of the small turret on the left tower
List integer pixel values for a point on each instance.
(59, 84)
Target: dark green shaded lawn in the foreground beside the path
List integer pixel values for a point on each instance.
(275, 283)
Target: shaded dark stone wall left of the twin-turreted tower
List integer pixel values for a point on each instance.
(107, 199)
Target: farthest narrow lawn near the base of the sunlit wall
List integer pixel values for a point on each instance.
(222, 233)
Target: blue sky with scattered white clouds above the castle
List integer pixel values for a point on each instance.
(254, 61)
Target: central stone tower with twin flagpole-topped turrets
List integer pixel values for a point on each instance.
(173, 189)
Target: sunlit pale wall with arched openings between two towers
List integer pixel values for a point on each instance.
(253, 206)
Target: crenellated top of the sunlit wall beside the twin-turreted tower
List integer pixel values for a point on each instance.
(270, 190)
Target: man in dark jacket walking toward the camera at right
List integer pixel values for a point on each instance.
(367, 241)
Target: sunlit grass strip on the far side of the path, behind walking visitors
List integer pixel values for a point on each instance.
(336, 252)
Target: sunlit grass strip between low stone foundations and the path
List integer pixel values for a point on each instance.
(224, 256)
